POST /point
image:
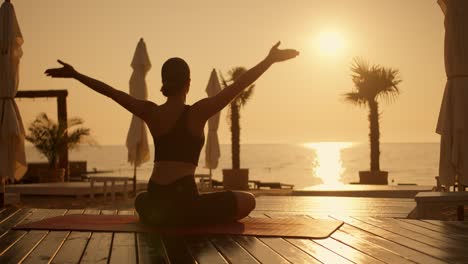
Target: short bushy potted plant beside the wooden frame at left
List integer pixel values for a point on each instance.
(50, 138)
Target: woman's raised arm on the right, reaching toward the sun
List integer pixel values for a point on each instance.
(207, 107)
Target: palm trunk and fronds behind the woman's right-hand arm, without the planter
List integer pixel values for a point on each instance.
(234, 113)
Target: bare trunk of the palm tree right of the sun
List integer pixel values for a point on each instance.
(374, 135)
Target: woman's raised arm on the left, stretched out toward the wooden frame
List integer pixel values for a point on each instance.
(137, 107)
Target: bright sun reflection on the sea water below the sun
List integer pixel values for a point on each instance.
(329, 167)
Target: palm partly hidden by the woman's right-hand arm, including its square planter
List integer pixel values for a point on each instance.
(236, 178)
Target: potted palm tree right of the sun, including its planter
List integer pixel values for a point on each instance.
(370, 84)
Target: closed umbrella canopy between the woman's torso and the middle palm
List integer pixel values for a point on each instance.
(212, 150)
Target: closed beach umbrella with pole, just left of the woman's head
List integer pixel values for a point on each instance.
(137, 139)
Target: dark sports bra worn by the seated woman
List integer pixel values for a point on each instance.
(178, 144)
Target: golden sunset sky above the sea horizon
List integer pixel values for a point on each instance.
(296, 101)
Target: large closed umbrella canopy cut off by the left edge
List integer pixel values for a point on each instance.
(12, 154)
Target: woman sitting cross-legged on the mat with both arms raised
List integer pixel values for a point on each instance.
(177, 129)
